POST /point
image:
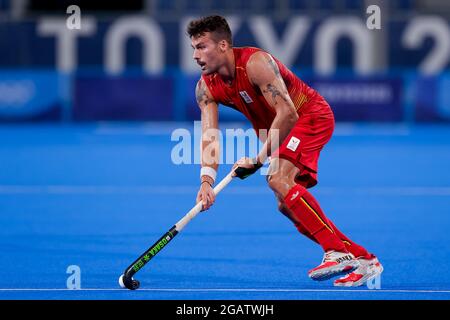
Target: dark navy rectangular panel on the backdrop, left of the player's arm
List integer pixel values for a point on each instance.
(123, 98)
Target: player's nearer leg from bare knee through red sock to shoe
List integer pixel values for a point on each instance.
(303, 210)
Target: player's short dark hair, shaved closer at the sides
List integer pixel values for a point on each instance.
(217, 25)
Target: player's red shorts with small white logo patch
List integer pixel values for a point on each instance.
(303, 144)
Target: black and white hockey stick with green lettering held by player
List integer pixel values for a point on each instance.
(126, 279)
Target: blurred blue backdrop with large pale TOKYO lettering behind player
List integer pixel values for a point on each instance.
(137, 55)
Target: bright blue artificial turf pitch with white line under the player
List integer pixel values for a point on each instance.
(97, 196)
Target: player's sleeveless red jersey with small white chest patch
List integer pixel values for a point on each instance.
(249, 100)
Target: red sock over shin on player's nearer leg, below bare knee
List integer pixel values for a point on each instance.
(307, 211)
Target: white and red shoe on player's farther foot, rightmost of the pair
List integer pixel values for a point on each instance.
(368, 269)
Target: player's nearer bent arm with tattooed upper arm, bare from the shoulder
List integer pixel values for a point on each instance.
(263, 72)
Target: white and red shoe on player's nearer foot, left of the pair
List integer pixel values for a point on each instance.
(334, 263)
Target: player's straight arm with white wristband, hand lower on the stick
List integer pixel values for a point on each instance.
(209, 143)
